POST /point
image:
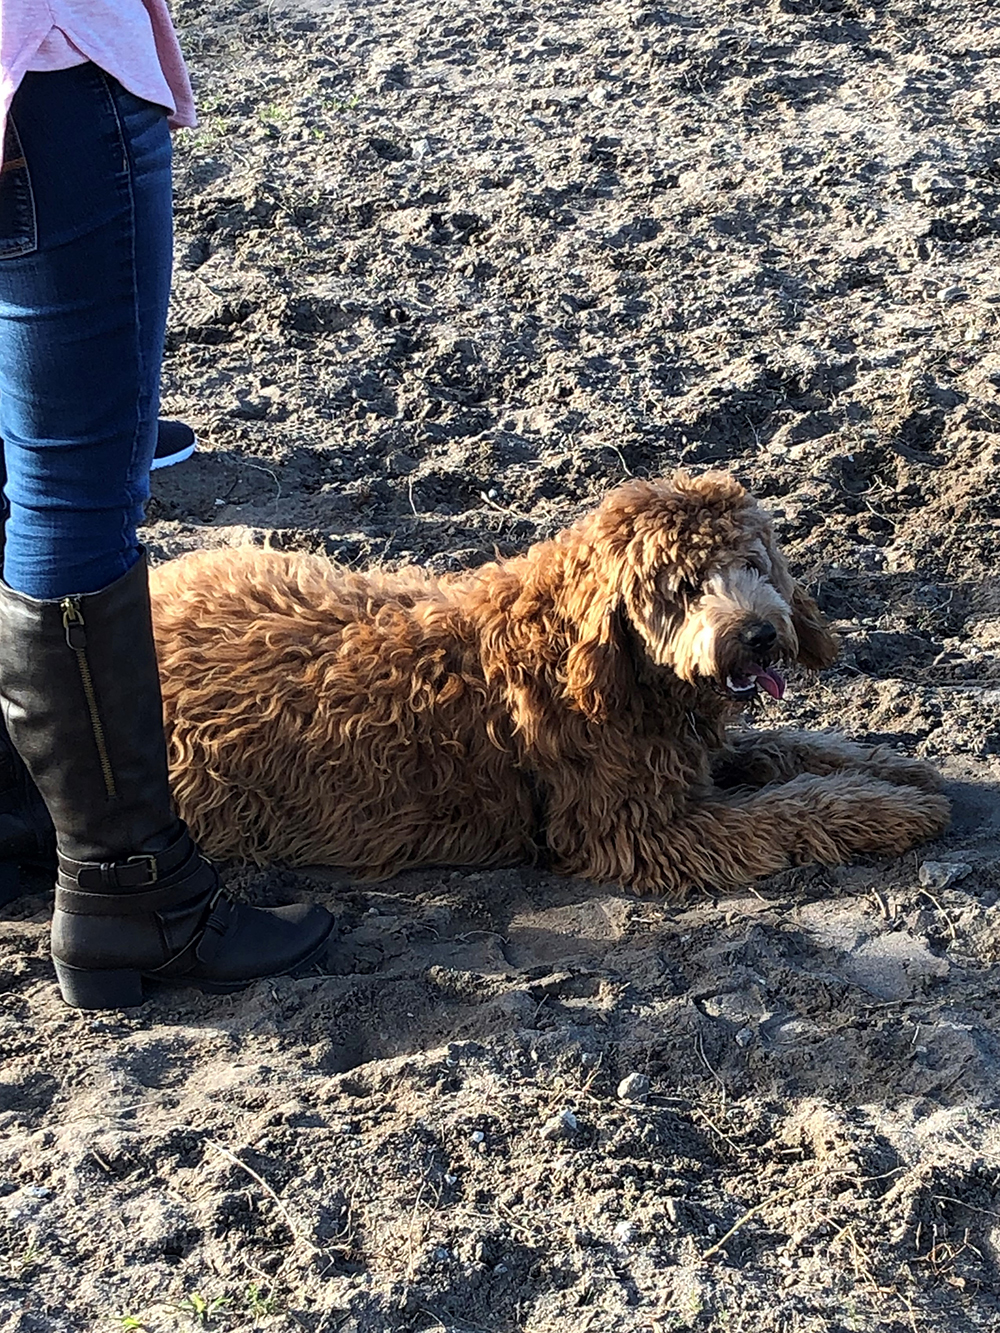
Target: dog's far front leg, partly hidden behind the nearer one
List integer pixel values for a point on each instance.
(755, 759)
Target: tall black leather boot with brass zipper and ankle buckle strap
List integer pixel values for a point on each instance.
(135, 899)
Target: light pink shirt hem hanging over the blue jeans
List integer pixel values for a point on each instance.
(133, 41)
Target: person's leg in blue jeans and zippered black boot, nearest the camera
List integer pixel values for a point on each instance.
(83, 302)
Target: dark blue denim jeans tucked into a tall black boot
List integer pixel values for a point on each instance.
(86, 241)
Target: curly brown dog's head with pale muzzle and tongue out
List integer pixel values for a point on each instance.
(694, 567)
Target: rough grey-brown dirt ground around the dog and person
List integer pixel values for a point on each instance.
(446, 273)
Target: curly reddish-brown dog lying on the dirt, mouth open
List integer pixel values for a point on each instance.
(569, 706)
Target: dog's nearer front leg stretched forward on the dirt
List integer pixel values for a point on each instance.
(725, 843)
